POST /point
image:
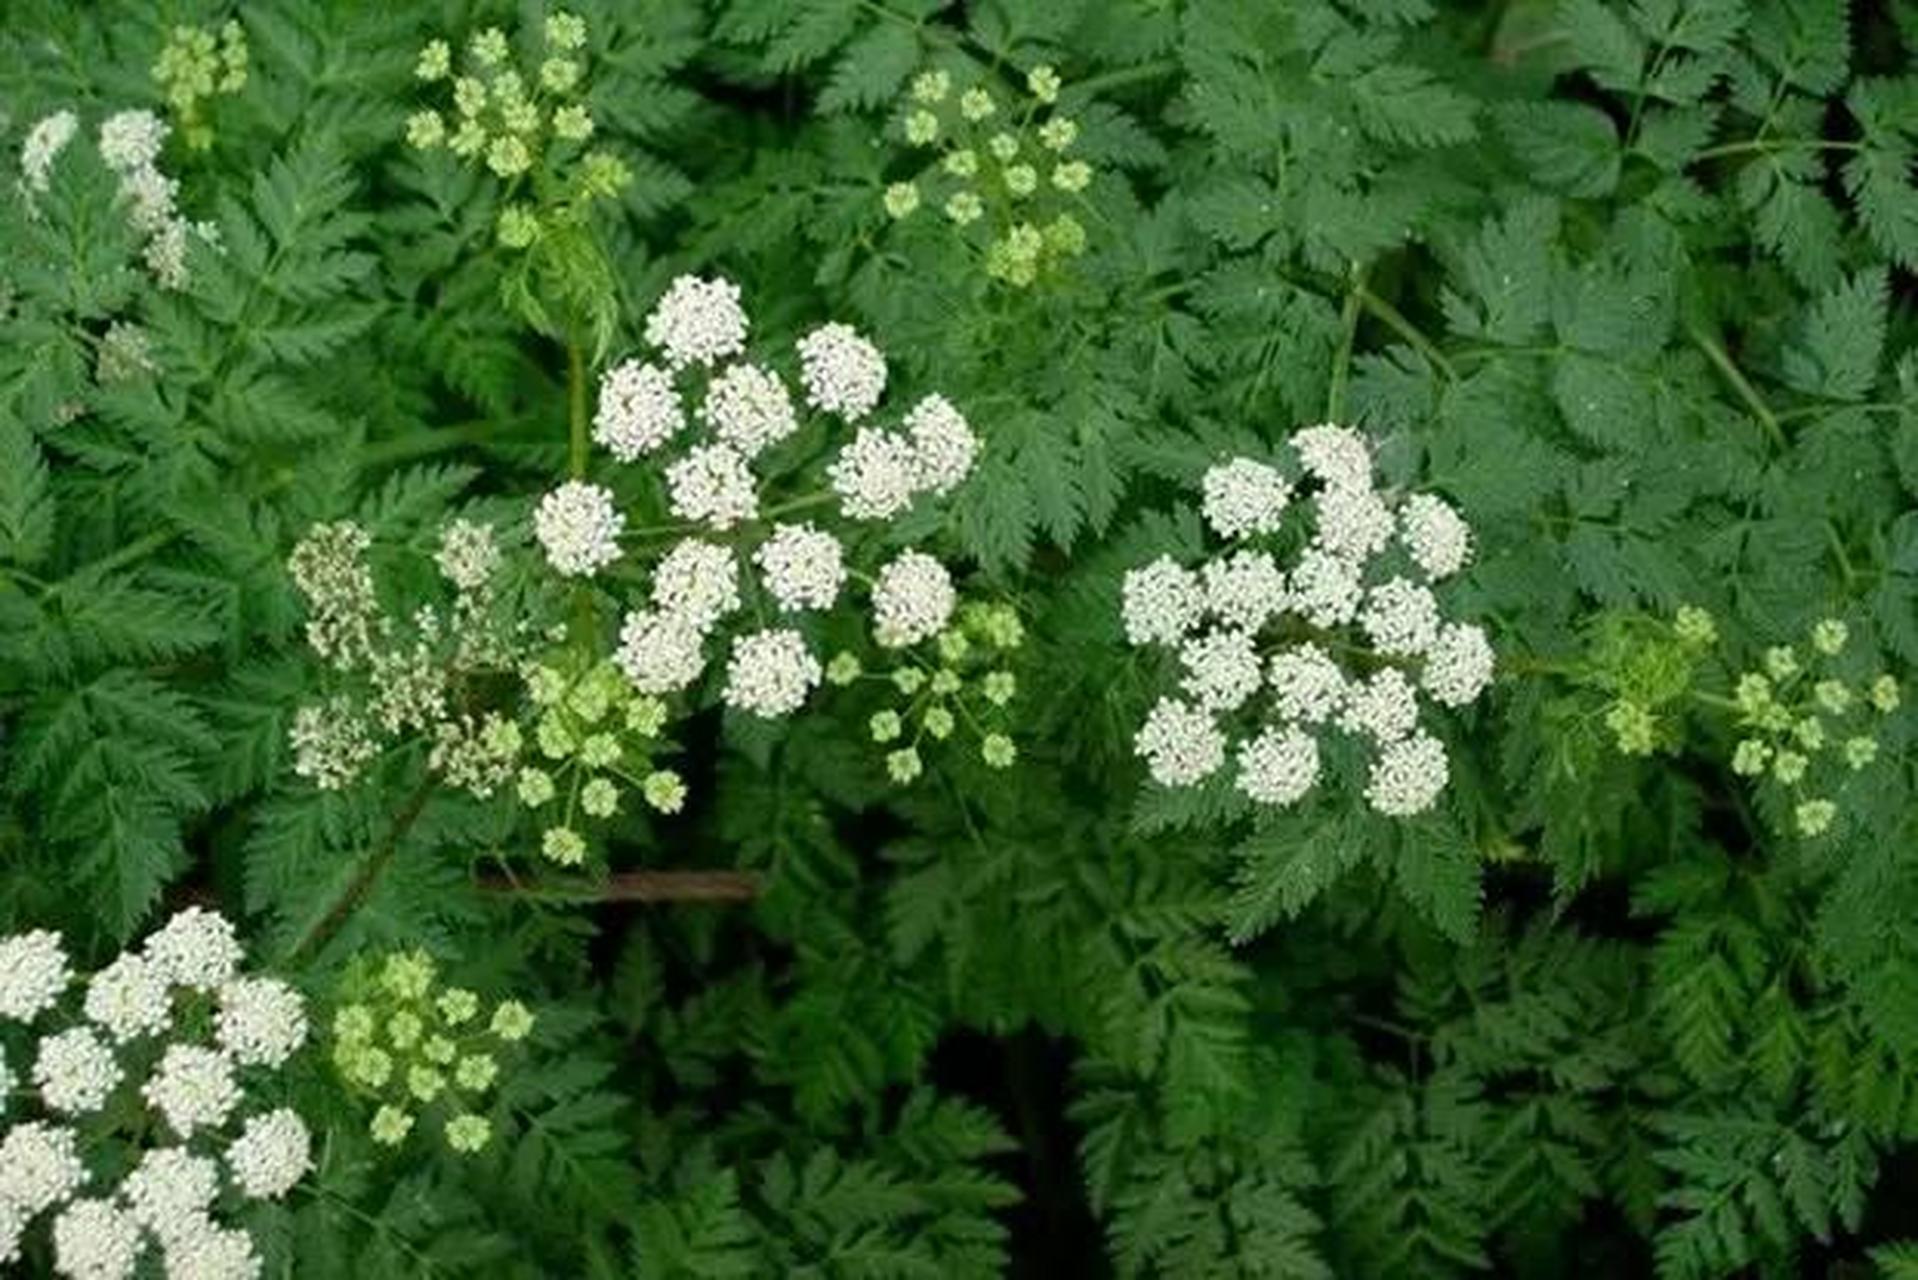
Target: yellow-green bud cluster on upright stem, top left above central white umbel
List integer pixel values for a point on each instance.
(526, 124)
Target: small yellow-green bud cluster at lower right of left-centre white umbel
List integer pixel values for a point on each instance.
(960, 684)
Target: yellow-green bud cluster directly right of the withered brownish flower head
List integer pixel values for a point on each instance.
(596, 738)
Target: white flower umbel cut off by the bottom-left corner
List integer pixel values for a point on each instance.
(185, 976)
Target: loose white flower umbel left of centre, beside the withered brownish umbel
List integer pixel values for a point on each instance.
(699, 333)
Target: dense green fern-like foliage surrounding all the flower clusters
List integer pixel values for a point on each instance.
(1629, 283)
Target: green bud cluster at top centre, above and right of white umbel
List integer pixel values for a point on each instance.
(998, 168)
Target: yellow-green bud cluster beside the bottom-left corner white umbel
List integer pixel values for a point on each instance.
(423, 1051)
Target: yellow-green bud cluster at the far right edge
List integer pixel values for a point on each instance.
(1794, 709)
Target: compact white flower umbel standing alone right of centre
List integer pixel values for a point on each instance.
(1263, 640)
